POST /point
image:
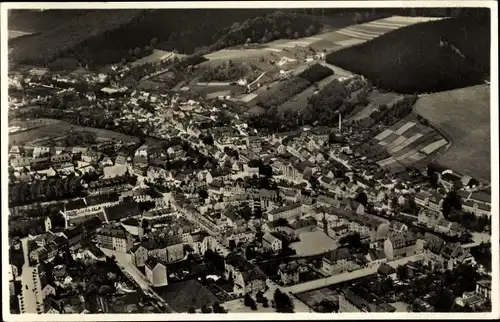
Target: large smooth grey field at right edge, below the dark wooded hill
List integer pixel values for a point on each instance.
(464, 116)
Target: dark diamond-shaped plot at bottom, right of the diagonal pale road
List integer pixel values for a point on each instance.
(183, 295)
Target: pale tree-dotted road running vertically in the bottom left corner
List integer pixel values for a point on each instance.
(29, 297)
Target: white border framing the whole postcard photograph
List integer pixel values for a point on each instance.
(255, 4)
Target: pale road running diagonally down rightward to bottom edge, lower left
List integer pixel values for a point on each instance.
(130, 270)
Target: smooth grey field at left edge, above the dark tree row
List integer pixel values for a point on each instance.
(58, 130)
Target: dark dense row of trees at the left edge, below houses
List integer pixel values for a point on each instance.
(44, 190)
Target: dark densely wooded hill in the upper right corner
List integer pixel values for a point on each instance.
(413, 59)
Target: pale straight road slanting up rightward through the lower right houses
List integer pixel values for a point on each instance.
(335, 279)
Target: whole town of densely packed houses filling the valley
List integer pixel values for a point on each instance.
(137, 199)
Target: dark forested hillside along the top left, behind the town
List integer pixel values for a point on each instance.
(106, 36)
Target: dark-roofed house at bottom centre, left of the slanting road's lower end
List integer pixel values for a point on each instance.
(247, 277)
